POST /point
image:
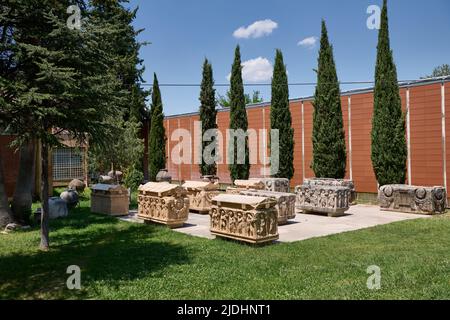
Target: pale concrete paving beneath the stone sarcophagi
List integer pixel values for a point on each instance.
(306, 226)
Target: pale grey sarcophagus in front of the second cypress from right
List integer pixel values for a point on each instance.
(332, 200)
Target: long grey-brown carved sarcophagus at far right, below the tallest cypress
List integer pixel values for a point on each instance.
(412, 199)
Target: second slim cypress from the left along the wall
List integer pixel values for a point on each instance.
(208, 114)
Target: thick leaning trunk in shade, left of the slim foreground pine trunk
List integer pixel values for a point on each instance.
(22, 199)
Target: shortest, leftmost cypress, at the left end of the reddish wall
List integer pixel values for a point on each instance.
(157, 140)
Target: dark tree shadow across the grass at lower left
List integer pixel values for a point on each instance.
(106, 255)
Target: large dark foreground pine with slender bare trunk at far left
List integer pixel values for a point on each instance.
(56, 78)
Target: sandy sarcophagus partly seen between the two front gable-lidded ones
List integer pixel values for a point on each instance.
(200, 194)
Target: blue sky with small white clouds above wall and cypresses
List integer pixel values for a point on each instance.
(183, 33)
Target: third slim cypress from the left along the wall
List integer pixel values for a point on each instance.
(238, 120)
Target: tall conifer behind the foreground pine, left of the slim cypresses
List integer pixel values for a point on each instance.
(125, 148)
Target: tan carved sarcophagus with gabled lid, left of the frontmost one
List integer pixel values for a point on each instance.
(164, 203)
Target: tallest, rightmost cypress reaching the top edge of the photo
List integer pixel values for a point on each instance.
(389, 151)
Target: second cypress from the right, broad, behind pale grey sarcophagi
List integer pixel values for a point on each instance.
(329, 151)
